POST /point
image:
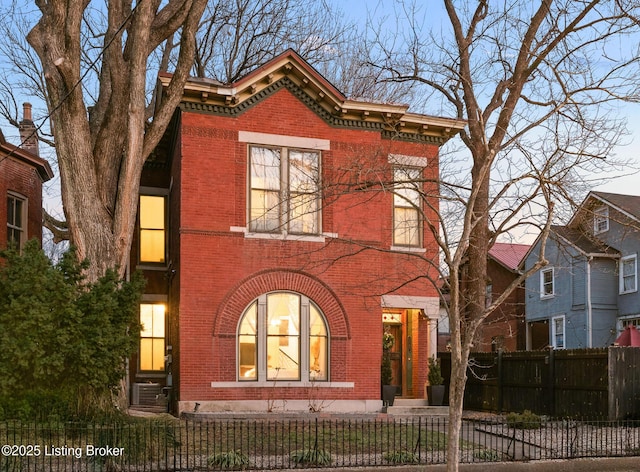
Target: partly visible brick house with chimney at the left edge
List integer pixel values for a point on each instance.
(22, 174)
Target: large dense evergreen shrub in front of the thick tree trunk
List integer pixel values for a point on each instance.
(62, 337)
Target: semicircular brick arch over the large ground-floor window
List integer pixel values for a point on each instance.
(245, 292)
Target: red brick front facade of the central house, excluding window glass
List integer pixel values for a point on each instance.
(216, 268)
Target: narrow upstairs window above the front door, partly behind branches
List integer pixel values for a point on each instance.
(407, 224)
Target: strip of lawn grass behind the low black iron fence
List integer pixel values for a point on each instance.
(143, 438)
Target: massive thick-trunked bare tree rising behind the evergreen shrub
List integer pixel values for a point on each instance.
(93, 61)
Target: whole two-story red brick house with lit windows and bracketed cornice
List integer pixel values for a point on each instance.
(273, 256)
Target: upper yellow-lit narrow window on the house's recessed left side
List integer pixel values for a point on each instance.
(153, 228)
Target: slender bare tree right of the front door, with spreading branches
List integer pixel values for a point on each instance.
(537, 85)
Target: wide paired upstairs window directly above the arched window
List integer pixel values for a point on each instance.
(284, 196)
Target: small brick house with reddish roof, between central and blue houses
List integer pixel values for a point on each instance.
(504, 328)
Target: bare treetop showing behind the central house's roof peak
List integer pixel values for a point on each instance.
(238, 36)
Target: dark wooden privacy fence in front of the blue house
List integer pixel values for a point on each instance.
(587, 383)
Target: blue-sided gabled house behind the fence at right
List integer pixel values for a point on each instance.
(589, 290)
